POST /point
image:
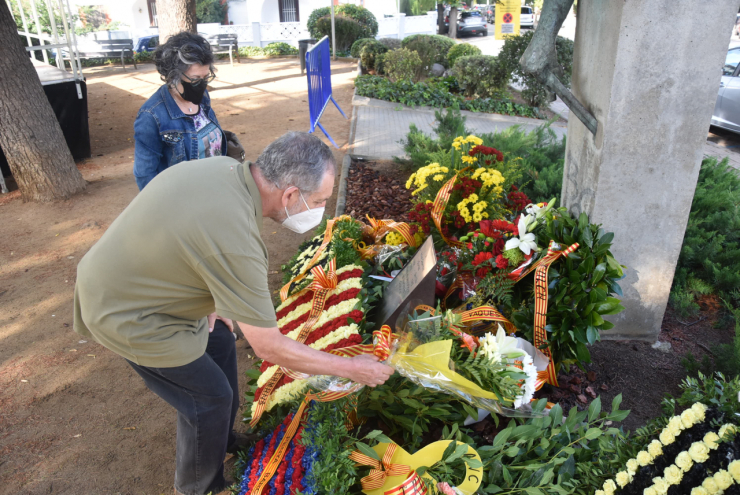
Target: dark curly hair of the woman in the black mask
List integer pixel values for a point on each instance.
(180, 52)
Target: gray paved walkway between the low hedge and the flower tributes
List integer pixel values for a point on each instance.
(380, 125)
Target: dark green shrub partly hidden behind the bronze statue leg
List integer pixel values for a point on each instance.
(534, 92)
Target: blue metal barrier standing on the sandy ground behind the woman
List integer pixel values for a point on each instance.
(318, 72)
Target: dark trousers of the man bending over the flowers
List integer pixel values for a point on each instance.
(206, 396)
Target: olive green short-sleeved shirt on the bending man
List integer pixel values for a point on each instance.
(189, 244)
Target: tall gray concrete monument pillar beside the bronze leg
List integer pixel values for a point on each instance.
(649, 71)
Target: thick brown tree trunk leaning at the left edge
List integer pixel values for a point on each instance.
(31, 138)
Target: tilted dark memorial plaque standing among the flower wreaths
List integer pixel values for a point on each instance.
(415, 281)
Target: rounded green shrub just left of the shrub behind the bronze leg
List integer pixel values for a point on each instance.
(480, 75)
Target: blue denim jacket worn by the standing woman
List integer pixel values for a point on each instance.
(165, 136)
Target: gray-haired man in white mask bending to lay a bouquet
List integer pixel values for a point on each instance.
(186, 249)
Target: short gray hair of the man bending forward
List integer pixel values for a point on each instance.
(296, 159)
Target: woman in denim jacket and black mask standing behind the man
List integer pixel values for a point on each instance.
(177, 123)
